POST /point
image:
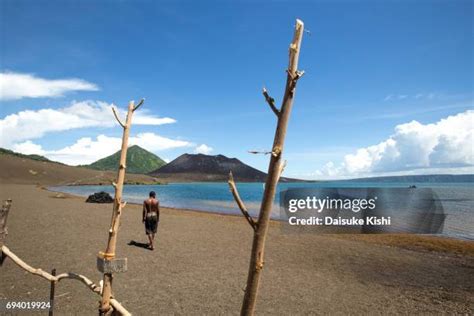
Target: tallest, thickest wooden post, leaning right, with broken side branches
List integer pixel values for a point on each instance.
(274, 172)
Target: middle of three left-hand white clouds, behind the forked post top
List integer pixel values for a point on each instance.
(28, 124)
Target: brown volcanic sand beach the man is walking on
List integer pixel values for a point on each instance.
(200, 264)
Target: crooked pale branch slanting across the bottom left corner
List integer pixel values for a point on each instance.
(69, 275)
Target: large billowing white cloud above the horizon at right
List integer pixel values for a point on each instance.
(414, 147)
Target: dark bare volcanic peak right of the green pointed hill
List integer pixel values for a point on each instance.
(209, 168)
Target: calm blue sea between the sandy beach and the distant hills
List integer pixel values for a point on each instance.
(457, 198)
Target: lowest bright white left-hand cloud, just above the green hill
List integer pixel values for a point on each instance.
(86, 150)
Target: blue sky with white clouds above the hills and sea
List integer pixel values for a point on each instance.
(388, 86)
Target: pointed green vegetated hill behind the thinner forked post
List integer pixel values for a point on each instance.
(139, 160)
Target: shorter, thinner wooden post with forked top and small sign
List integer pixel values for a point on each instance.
(118, 206)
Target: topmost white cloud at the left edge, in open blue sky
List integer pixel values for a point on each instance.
(14, 86)
